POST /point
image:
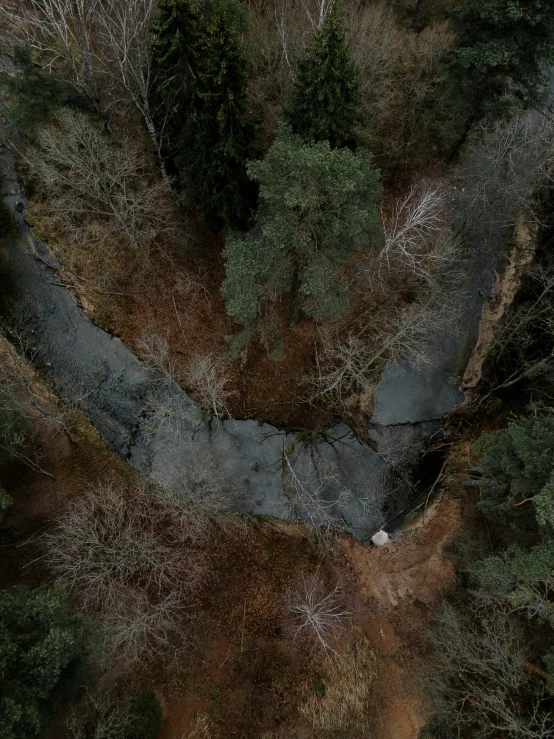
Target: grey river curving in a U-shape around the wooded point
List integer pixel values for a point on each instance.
(151, 422)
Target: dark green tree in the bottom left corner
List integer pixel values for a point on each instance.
(44, 658)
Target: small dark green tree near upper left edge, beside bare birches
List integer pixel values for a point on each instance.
(35, 94)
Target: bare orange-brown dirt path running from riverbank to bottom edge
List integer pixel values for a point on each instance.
(398, 586)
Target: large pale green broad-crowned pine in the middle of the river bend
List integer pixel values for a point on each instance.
(317, 207)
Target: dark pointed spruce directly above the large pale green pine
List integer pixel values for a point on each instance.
(326, 103)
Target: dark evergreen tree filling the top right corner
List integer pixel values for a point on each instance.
(498, 64)
